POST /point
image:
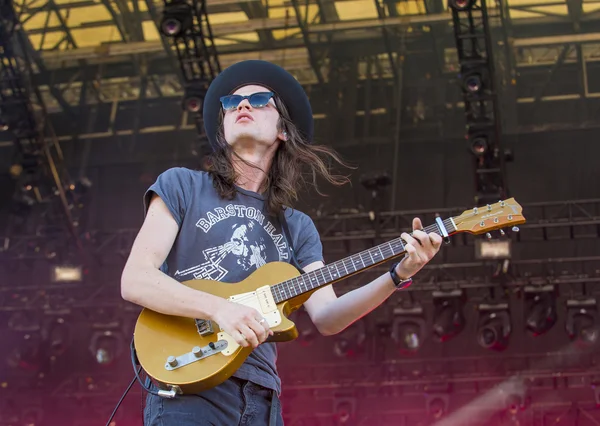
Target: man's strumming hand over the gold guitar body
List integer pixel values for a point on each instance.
(245, 324)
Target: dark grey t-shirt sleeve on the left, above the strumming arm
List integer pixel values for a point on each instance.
(173, 186)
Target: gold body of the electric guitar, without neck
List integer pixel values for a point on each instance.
(158, 336)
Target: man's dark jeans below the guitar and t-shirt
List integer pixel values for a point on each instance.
(236, 402)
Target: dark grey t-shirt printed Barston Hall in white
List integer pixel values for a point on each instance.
(227, 240)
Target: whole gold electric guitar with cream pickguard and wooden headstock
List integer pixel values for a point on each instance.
(185, 355)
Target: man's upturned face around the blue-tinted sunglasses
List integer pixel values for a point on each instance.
(255, 125)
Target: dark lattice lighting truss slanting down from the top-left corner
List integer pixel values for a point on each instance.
(41, 174)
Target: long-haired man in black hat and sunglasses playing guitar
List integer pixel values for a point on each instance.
(225, 223)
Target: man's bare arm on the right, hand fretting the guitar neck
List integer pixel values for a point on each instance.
(332, 314)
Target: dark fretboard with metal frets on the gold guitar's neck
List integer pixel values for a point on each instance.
(348, 266)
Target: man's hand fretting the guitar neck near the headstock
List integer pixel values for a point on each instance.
(420, 249)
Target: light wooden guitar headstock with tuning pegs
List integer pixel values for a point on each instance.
(491, 217)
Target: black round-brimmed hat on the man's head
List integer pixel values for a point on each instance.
(261, 73)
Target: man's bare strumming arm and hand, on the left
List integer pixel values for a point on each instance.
(143, 283)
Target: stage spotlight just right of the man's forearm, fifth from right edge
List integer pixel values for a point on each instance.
(408, 328)
